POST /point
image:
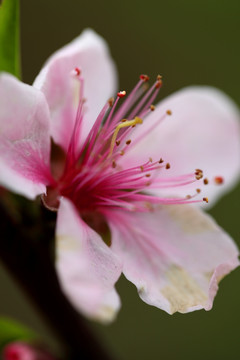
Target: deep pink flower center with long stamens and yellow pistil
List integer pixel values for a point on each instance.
(94, 179)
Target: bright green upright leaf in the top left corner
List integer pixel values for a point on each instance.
(9, 37)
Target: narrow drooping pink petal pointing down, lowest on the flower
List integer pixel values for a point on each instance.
(86, 266)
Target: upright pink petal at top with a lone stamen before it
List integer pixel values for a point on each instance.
(90, 54)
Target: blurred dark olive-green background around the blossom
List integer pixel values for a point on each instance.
(188, 42)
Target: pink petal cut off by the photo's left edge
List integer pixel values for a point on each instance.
(24, 137)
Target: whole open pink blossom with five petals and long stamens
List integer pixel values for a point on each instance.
(134, 183)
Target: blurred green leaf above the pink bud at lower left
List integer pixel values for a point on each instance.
(11, 330)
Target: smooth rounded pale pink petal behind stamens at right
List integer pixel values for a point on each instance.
(202, 132)
